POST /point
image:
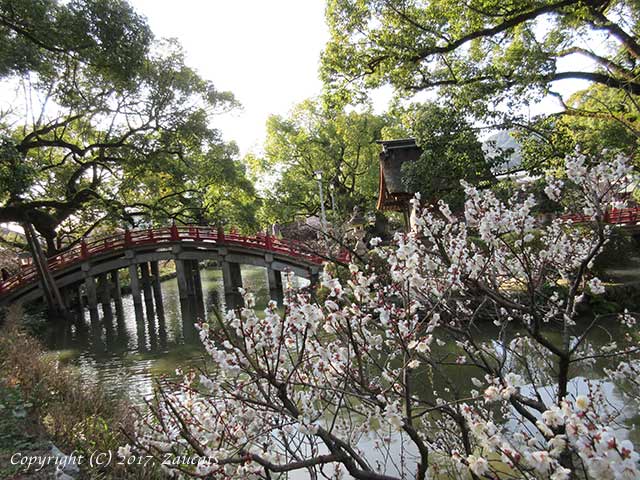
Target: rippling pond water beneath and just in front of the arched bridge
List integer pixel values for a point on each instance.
(132, 348)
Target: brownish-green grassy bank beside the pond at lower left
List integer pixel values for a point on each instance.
(45, 401)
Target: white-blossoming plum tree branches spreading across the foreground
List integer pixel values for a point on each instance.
(334, 374)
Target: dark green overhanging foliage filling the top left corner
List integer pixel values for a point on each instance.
(48, 36)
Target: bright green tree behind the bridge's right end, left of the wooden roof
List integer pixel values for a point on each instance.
(340, 144)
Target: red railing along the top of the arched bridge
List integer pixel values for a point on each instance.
(131, 238)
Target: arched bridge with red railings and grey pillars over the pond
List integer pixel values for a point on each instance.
(89, 272)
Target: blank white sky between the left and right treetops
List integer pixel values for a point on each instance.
(266, 52)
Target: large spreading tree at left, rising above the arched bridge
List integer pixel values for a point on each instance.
(108, 124)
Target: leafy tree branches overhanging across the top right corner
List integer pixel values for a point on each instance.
(499, 52)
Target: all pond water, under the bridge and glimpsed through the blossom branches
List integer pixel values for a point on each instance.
(126, 361)
